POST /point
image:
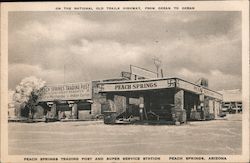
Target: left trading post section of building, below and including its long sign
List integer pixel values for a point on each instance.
(72, 101)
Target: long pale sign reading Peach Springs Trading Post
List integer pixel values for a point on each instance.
(69, 91)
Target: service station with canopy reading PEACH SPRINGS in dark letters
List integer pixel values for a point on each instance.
(164, 99)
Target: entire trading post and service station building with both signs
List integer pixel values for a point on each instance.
(154, 100)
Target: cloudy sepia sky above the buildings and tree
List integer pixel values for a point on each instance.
(63, 47)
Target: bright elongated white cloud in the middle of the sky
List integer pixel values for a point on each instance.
(104, 50)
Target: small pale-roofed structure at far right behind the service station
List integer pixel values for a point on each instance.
(232, 101)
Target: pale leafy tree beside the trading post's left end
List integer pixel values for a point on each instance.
(27, 93)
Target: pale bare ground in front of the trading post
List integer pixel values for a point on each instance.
(87, 138)
